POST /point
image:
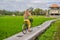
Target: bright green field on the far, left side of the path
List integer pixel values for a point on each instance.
(10, 25)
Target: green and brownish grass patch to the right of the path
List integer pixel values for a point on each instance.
(53, 33)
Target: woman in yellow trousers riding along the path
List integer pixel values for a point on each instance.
(27, 15)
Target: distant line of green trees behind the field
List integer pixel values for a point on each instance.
(36, 11)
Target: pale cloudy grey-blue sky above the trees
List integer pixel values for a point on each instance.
(21, 5)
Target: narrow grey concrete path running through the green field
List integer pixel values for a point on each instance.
(31, 35)
